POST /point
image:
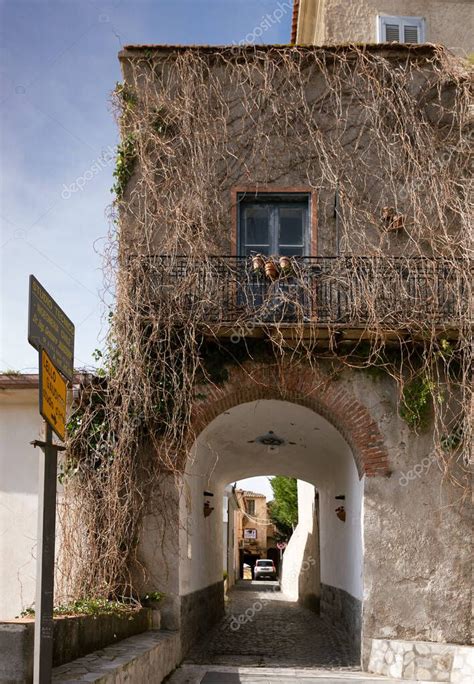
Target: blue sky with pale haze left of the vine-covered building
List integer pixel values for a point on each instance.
(58, 65)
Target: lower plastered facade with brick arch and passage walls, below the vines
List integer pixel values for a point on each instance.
(382, 570)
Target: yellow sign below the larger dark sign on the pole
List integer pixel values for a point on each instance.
(52, 396)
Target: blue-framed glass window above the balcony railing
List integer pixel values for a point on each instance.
(274, 224)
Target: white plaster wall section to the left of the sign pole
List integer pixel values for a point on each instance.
(20, 423)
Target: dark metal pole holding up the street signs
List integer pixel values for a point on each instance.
(43, 644)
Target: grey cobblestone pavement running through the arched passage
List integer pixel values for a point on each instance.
(262, 627)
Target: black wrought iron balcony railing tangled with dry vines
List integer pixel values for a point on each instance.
(354, 291)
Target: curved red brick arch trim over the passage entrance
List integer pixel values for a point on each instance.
(303, 385)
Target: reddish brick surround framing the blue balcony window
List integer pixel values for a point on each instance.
(278, 192)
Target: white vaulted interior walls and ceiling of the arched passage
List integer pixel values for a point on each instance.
(305, 445)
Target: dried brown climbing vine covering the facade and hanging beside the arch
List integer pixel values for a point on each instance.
(385, 131)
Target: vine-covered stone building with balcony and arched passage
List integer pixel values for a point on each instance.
(288, 167)
